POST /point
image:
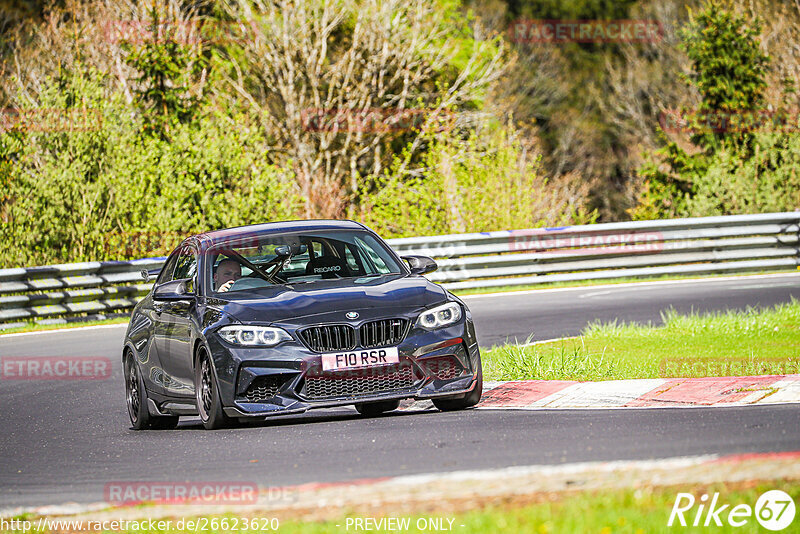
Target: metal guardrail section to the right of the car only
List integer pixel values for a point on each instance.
(705, 245)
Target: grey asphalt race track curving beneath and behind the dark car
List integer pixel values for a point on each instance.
(63, 441)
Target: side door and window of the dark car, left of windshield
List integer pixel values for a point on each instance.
(175, 327)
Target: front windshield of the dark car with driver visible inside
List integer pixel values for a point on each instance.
(251, 261)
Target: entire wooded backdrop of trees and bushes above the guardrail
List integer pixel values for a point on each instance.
(414, 116)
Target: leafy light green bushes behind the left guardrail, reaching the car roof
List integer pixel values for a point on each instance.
(111, 191)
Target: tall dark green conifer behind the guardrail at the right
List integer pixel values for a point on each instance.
(729, 71)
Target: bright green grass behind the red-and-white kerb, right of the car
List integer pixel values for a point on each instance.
(734, 343)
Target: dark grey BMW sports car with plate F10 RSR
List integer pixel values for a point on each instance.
(280, 318)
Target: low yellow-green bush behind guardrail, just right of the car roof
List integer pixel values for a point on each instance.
(488, 181)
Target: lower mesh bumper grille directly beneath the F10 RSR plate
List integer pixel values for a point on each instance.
(359, 382)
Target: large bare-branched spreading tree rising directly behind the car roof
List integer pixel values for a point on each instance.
(343, 86)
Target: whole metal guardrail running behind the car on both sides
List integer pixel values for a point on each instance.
(731, 244)
